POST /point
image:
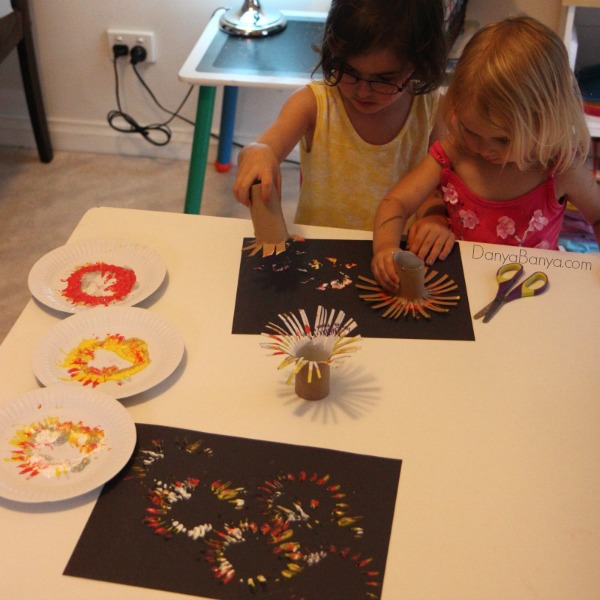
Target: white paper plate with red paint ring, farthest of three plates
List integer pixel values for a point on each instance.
(72, 278)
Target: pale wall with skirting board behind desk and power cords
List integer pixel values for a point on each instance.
(77, 71)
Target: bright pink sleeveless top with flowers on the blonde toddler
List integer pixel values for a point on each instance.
(532, 220)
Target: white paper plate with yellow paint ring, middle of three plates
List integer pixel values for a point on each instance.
(164, 350)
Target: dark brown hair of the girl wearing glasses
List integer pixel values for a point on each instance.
(412, 29)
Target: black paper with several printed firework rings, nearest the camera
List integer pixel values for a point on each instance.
(257, 510)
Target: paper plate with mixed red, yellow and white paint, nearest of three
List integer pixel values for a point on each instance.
(60, 442)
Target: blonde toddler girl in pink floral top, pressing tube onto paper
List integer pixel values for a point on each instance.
(514, 154)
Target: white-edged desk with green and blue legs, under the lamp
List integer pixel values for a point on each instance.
(283, 61)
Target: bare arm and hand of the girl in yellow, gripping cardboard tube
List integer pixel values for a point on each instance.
(260, 160)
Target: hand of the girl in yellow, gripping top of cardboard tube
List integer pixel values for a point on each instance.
(256, 163)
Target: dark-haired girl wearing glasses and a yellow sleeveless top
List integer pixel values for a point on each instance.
(367, 122)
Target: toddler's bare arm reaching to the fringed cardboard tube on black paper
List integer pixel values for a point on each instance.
(392, 213)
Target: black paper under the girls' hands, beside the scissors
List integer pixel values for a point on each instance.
(291, 280)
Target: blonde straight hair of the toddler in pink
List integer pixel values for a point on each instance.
(515, 73)
